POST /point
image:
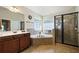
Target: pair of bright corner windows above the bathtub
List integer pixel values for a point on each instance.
(44, 25)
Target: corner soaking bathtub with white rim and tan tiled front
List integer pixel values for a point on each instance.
(42, 39)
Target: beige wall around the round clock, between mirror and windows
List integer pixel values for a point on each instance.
(27, 12)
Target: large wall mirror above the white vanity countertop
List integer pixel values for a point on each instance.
(11, 21)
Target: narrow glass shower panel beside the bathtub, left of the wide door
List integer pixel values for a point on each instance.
(58, 29)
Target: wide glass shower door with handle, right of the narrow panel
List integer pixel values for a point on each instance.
(70, 29)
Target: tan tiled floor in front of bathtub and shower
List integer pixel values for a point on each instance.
(58, 48)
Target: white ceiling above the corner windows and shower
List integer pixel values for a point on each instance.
(46, 10)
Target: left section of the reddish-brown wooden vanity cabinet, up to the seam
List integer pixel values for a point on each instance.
(9, 44)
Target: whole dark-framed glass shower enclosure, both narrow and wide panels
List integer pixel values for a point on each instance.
(66, 28)
